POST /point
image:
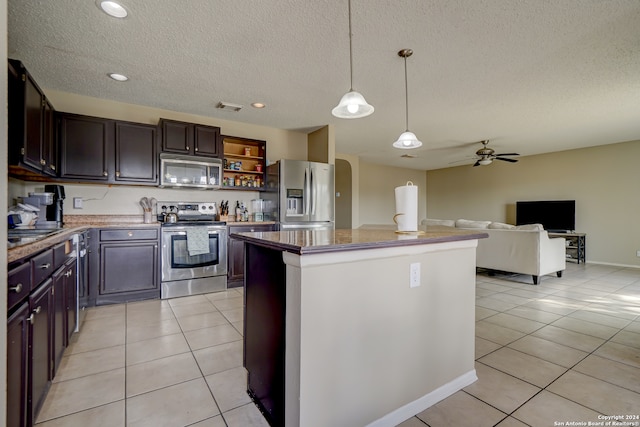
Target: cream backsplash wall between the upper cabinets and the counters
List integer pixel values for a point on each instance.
(123, 200)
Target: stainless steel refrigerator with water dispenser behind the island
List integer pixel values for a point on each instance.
(300, 194)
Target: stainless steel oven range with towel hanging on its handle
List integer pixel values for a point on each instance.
(194, 250)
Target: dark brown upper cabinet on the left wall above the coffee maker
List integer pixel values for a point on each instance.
(32, 148)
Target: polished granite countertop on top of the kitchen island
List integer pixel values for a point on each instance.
(321, 241)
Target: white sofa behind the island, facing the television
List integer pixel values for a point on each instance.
(525, 249)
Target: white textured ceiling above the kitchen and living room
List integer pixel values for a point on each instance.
(533, 76)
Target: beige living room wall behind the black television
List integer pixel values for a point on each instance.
(602, 180)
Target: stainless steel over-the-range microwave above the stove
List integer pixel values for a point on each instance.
(178, 171)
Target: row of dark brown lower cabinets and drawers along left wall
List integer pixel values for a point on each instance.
(40, 319)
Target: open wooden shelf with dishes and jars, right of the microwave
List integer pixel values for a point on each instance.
(244, 163)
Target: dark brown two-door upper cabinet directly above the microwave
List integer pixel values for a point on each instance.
(190, 138)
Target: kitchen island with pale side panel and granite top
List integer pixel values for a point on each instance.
(357, 327)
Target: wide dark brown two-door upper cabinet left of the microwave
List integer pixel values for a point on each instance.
(108, 151)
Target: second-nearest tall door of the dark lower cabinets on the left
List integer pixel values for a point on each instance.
(39, 347)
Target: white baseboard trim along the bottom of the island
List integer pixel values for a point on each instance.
(413, 408)
